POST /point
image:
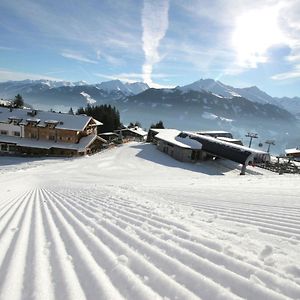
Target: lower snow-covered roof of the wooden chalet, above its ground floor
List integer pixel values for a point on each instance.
(45, 144)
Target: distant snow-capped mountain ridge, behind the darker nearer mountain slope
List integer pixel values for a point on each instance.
(41, 92)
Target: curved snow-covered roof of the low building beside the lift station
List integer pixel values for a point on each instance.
(171, 136)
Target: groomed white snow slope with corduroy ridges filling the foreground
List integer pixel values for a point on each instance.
(132, 223)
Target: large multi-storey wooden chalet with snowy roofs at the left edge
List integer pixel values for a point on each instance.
(35, 132)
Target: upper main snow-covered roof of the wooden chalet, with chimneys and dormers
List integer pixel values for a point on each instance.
(64, 121)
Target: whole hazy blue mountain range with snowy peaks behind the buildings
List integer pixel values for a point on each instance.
(204, 104)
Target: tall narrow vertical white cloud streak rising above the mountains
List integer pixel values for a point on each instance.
(155, 24)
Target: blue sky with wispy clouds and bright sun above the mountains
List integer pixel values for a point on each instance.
(162, 42)
